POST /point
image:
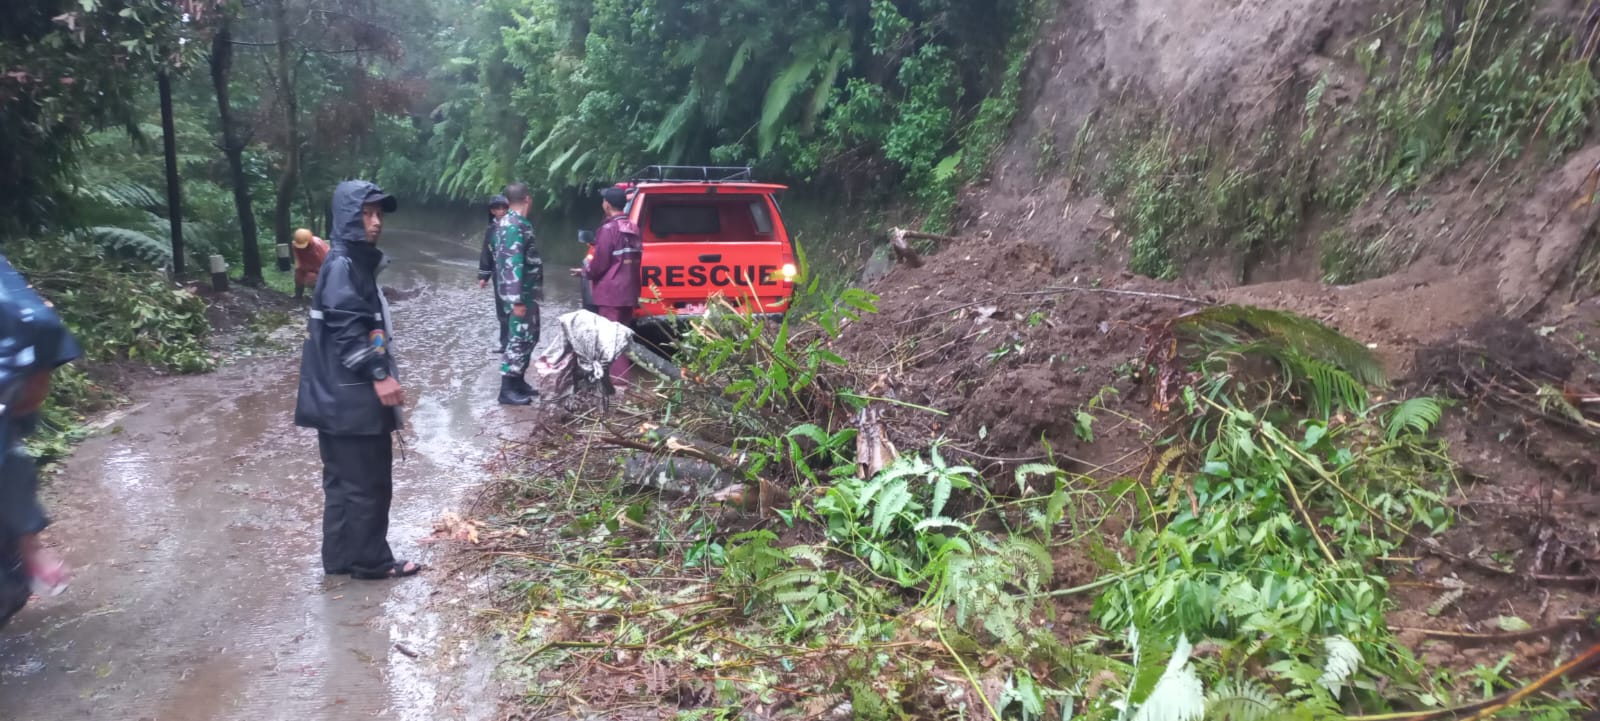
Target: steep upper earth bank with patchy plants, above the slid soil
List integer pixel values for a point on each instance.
(1239, 143)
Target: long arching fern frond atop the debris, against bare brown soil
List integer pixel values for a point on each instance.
(1297, 332)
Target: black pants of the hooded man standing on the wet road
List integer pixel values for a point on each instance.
(358, 484)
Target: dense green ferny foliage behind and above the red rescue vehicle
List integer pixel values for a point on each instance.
(863, 95)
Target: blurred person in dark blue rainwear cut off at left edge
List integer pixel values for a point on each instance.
(33, 345)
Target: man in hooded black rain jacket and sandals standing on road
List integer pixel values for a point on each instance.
(350, 391)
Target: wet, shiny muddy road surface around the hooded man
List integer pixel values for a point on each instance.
(193, 524)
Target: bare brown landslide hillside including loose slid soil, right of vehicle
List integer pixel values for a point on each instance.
(1265, 153)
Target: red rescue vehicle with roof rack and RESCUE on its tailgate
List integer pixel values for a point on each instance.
(708, 233)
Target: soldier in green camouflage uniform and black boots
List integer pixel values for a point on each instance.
(521, 281)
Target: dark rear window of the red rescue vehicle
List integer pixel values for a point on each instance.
(703, 218)
